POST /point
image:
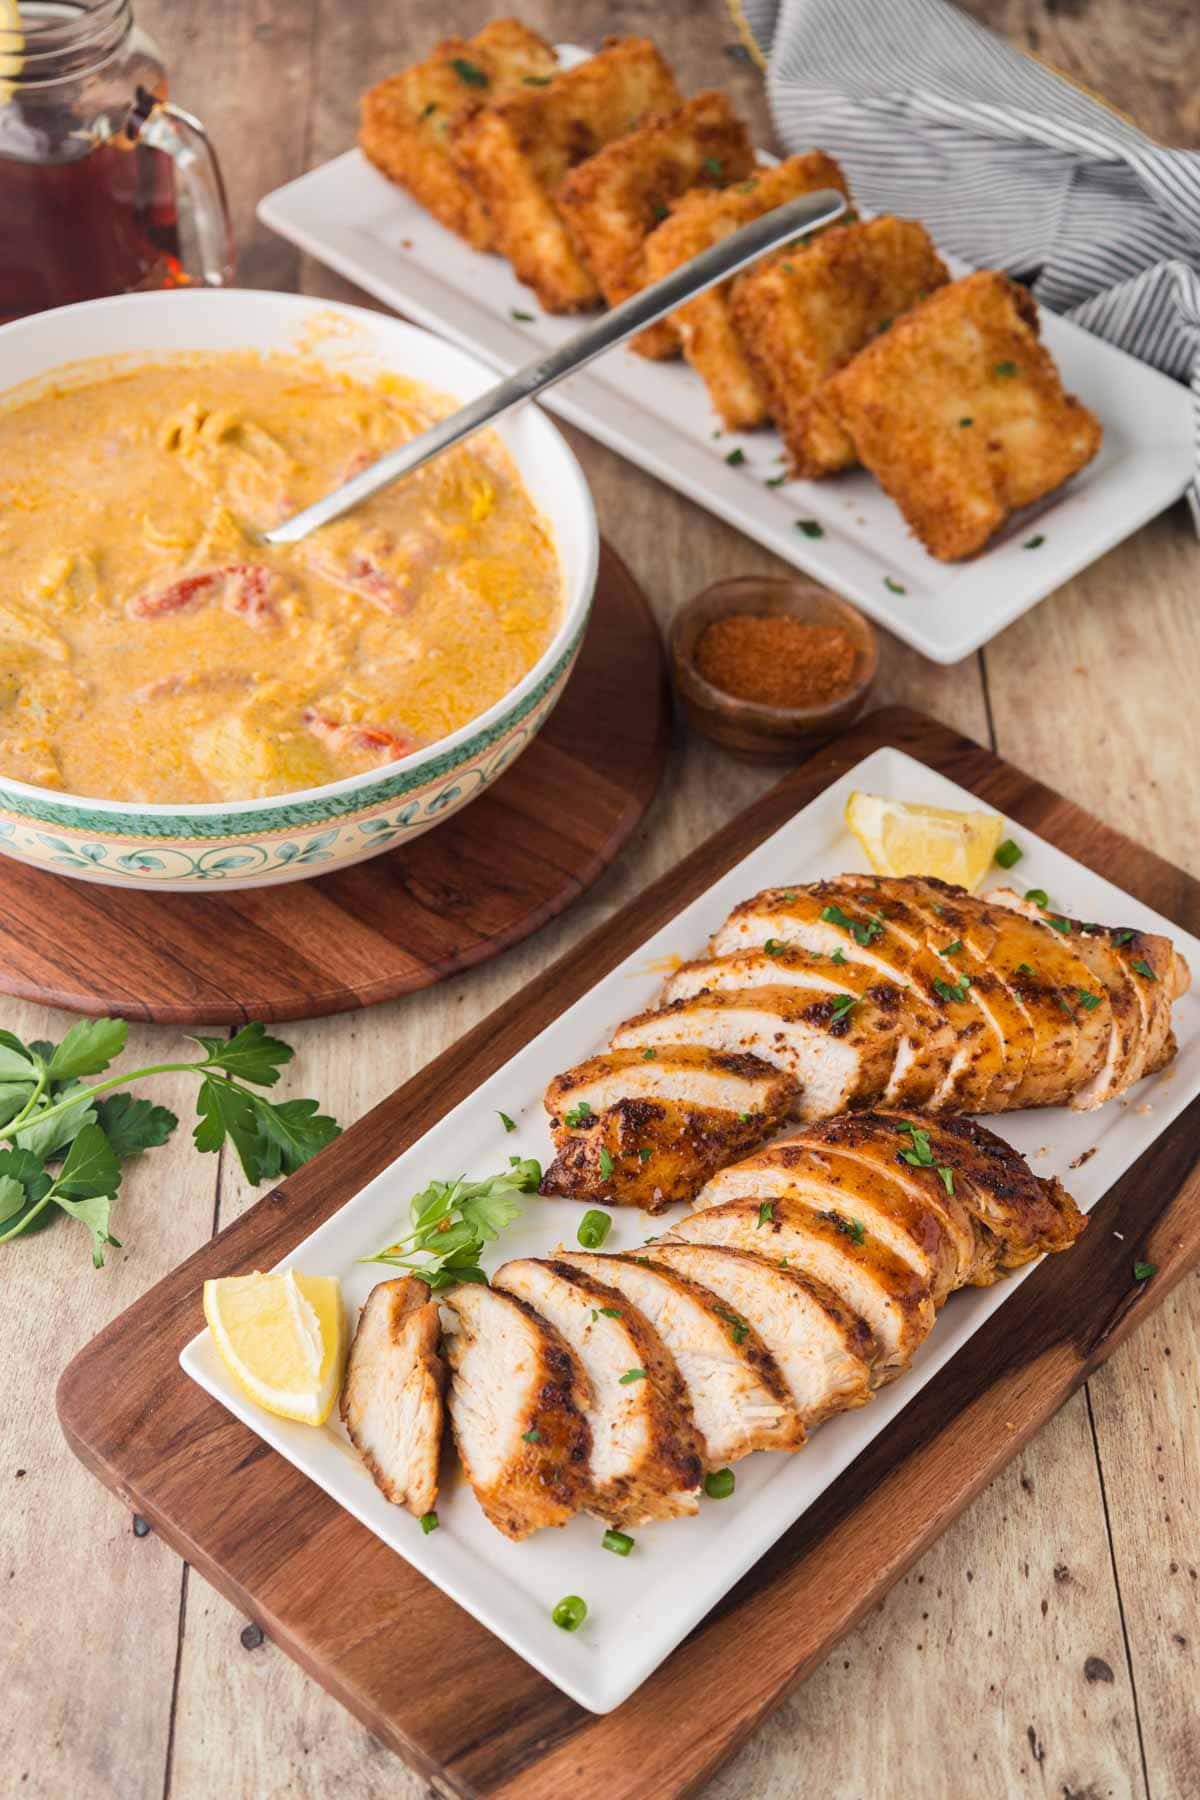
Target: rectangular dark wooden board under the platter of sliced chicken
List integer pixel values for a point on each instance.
(418, 1671)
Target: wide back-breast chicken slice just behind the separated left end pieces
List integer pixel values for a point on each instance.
(839, 1050)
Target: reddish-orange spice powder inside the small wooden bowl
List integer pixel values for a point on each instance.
(776, 660)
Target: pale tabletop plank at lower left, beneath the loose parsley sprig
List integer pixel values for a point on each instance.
(91, 1610)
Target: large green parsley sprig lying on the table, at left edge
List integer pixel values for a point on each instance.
(64, 1142)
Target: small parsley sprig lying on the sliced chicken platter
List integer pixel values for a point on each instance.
(454, 1219)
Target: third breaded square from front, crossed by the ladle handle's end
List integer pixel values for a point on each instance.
(706, 325)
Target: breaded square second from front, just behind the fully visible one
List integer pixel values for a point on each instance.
(803, 318)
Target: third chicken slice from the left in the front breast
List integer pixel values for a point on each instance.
(647, 1455)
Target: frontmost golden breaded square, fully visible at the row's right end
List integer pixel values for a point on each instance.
(962, 417)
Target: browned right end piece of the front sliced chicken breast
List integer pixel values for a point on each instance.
(1017, 1216)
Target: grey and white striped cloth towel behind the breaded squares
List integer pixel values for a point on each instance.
(1008, 165)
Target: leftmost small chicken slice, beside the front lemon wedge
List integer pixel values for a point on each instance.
(393, 1392)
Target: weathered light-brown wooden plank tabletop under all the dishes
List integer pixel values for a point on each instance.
(1050, 1644)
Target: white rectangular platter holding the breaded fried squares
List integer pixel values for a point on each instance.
(658, 415)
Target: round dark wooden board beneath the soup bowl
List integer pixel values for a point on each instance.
(404, 921)
